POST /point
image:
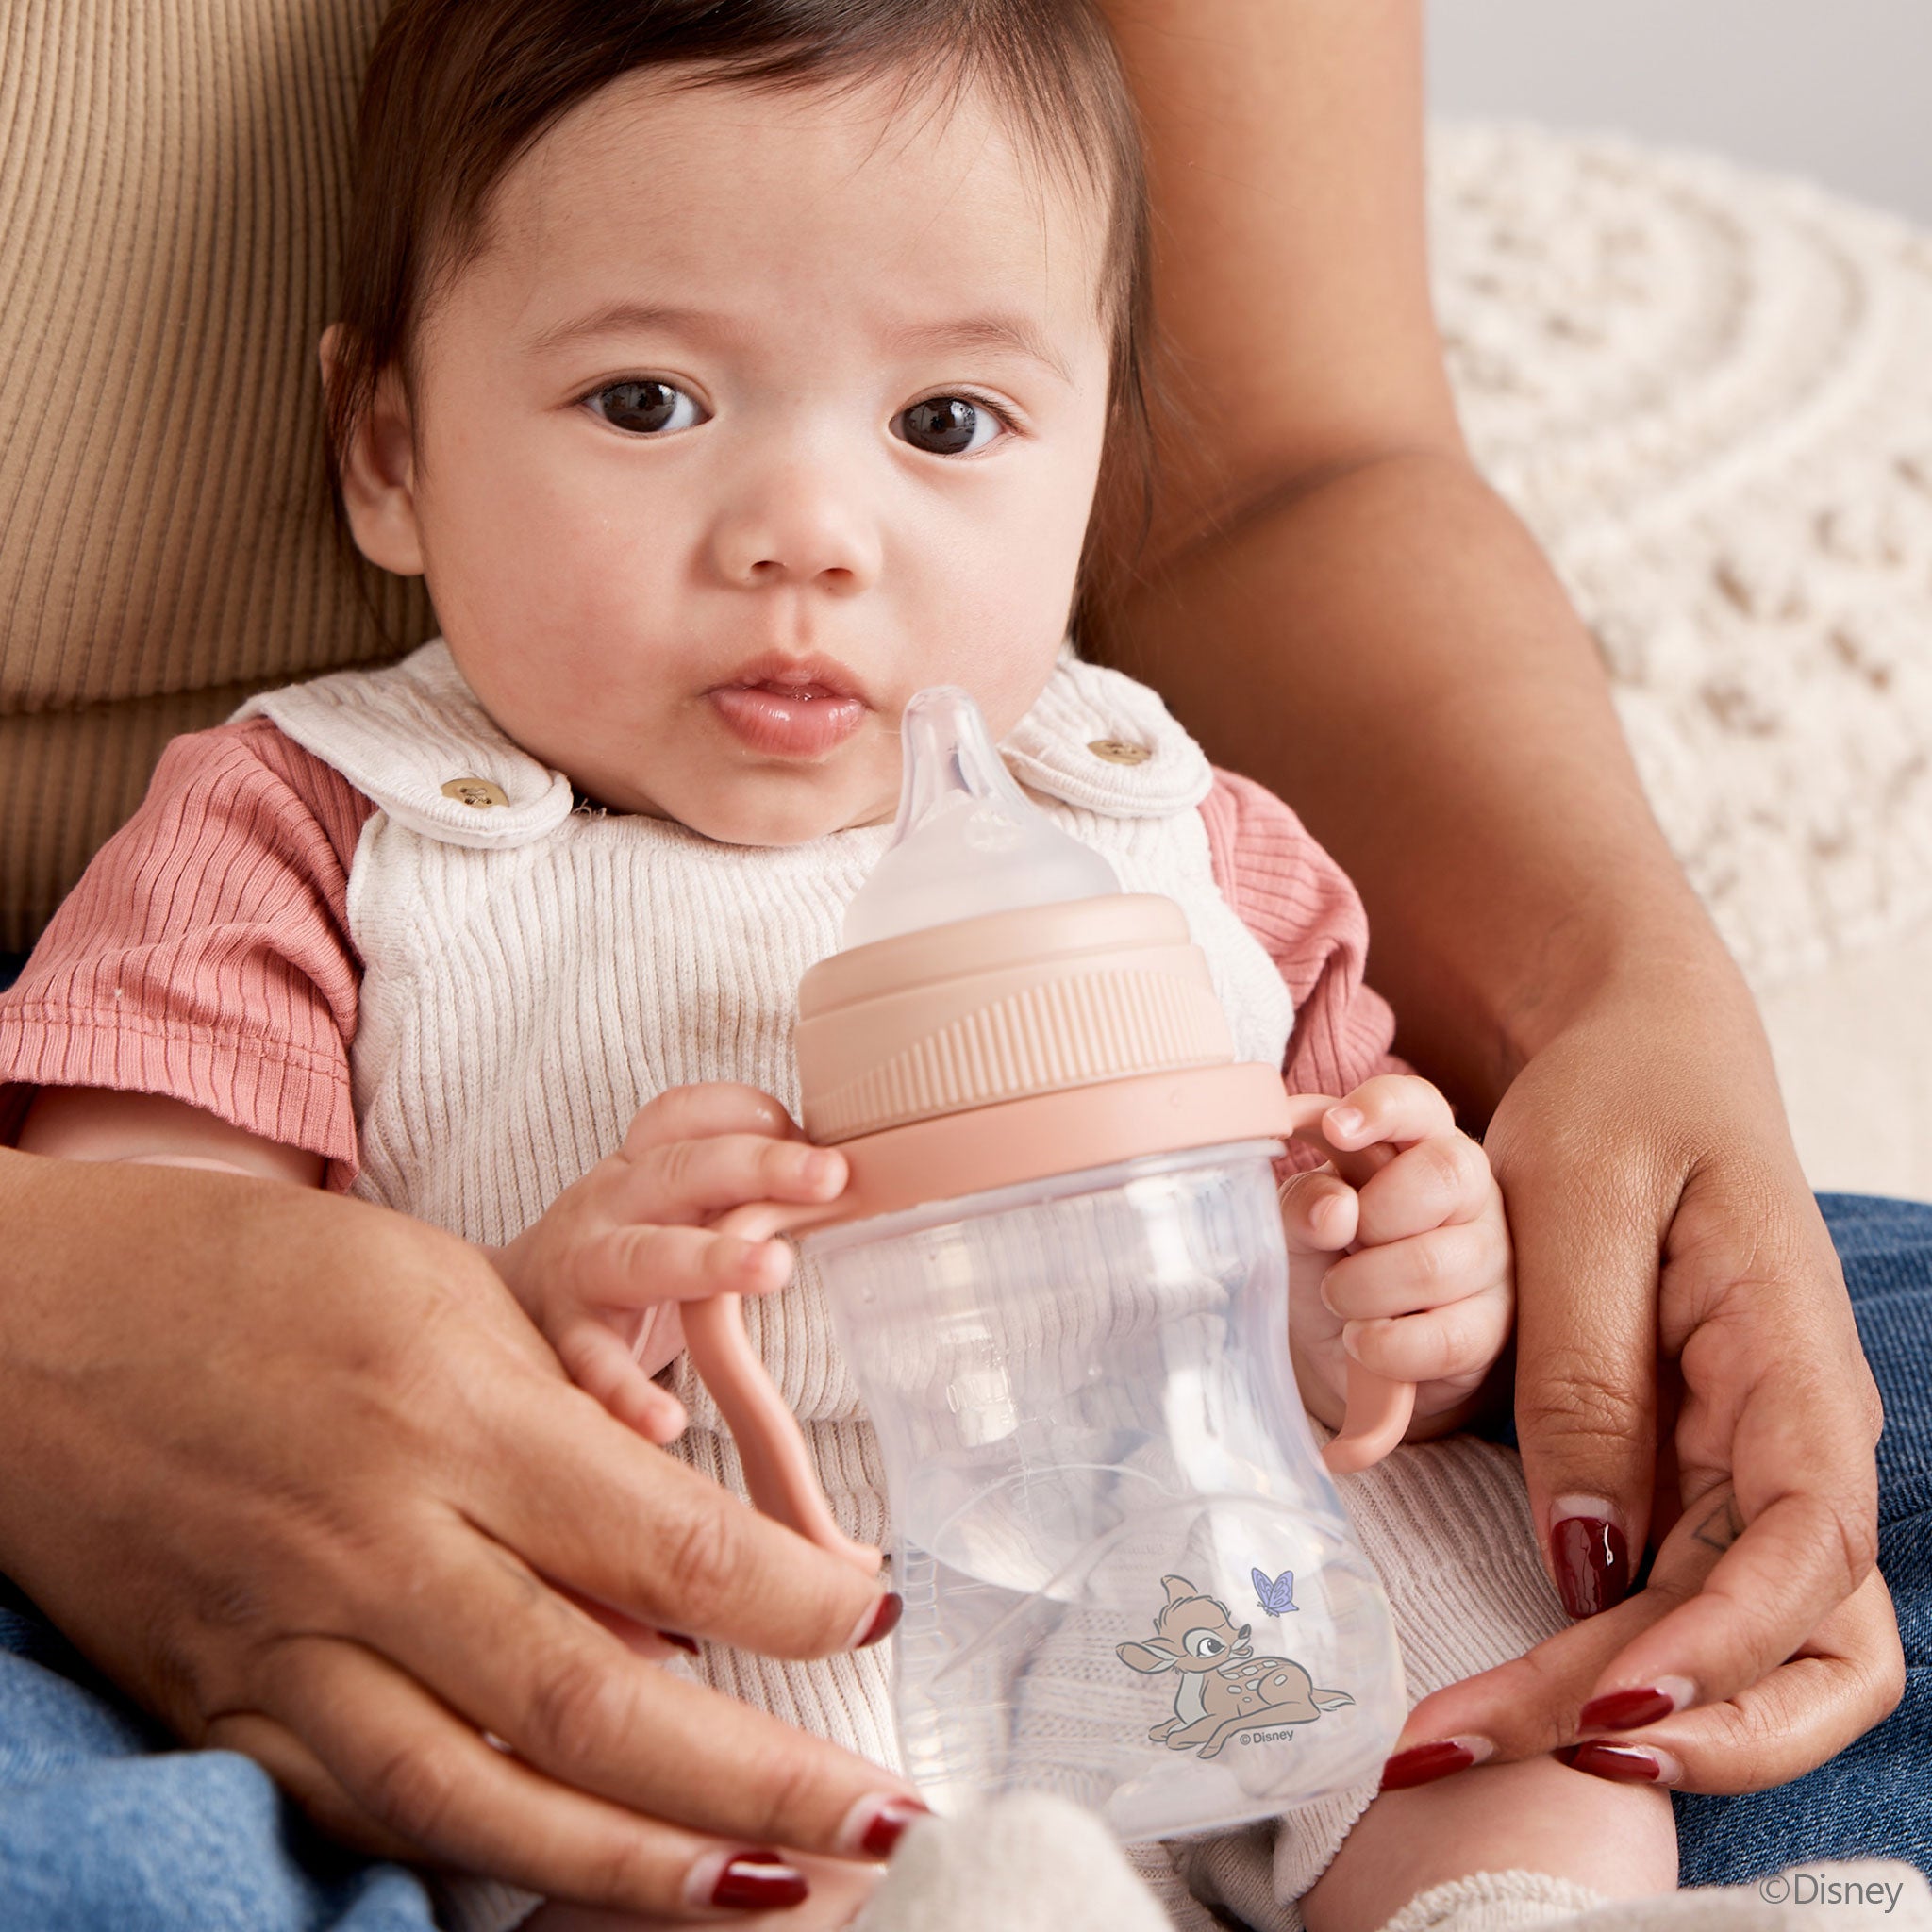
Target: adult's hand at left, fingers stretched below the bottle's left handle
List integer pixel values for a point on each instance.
(308, 1485)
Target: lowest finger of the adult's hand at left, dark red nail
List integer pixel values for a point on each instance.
(403, 1759)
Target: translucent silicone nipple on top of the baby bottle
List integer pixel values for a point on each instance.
(967, 839)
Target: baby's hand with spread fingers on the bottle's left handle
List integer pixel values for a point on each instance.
(606, 1268)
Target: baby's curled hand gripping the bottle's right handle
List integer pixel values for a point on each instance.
(1411, 1270)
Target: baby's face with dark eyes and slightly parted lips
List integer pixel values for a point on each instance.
(756, 416)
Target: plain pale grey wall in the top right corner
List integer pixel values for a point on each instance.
(1838, 90)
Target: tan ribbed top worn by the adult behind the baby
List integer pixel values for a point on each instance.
(173, 181)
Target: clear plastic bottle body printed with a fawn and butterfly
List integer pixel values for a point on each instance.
(1127, 1576)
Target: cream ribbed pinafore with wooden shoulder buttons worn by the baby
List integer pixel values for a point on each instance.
(538, 971)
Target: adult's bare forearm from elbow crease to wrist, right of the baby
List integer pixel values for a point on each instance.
(1396, 658)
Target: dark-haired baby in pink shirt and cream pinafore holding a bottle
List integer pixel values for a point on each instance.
(731, 376)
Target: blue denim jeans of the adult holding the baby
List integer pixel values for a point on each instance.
(103, 1825)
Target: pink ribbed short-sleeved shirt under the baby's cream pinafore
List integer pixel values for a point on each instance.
(206, 955)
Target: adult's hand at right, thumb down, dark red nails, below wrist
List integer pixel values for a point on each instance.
(1661, 1212)
